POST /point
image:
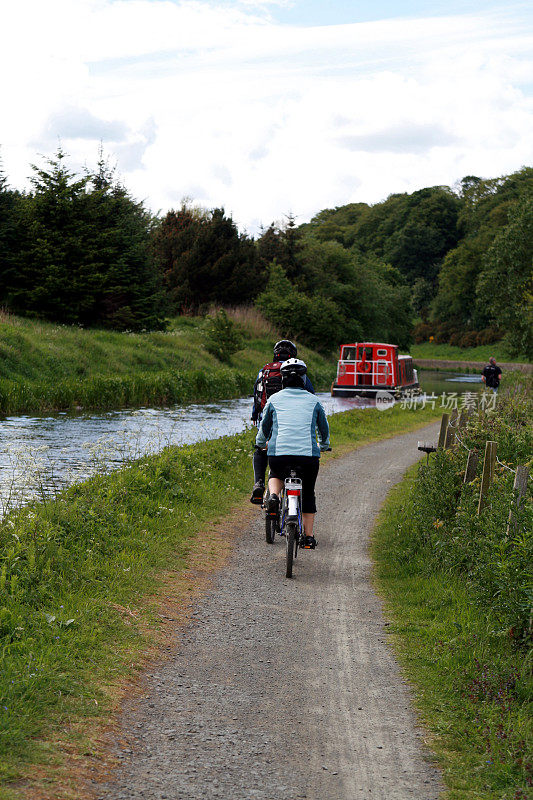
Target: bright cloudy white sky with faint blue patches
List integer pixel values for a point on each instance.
(269, 107)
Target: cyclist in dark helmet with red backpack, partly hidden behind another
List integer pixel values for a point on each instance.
(267, 383)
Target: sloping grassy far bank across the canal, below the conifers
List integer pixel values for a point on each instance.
(45, 367)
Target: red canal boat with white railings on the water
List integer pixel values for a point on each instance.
(365, 368)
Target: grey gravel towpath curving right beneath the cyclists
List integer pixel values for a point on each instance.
(286, 688)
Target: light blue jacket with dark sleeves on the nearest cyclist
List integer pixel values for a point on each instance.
(293, 421)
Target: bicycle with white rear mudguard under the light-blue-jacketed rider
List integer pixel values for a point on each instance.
(288, 520)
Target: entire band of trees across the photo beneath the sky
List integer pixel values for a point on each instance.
(78, 249)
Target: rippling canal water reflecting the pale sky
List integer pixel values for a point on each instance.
(40, 455)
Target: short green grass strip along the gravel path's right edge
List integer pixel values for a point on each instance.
(472, 685)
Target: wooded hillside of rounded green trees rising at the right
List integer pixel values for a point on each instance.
(466, 254)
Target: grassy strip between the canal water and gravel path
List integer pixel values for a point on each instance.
(79, 575)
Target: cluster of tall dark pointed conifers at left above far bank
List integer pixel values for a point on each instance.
(87, 257)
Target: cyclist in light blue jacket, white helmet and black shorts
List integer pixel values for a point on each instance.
(295, 426)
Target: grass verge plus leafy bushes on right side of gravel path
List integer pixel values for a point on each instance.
(458, 590)
